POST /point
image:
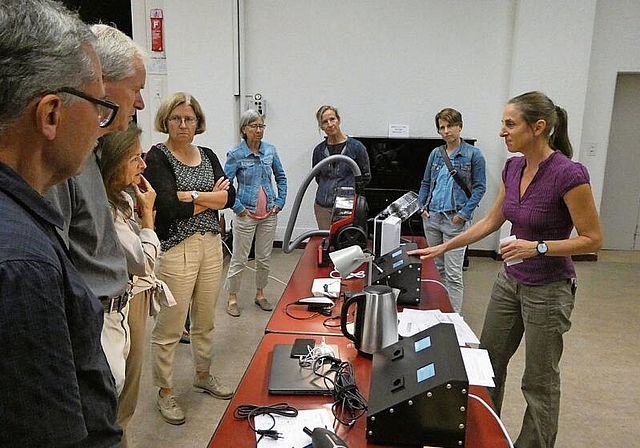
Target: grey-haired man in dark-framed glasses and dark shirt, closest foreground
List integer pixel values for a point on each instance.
(57, 389)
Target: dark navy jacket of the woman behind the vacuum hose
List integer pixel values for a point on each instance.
(337, 175)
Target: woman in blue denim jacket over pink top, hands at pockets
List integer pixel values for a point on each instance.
(256, 165)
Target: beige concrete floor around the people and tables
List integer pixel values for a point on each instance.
(600, 366)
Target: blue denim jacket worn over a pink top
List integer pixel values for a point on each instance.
(255, 170)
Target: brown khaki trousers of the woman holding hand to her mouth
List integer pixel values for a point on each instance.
(138, 315)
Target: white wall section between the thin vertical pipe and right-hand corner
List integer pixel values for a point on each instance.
(379, 62)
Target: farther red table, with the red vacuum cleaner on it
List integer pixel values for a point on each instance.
(433, 295)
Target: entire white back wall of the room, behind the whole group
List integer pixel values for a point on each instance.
(385, 62)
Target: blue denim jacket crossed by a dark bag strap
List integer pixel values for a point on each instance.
(470, 163)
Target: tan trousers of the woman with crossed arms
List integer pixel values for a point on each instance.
(193, 271)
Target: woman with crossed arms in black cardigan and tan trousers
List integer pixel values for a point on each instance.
(191, 188)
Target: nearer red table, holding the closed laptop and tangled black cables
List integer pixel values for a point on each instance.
(482, 430)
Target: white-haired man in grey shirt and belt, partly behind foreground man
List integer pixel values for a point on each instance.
(89, 229)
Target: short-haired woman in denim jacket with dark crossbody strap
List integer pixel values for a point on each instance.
(447, 209)
